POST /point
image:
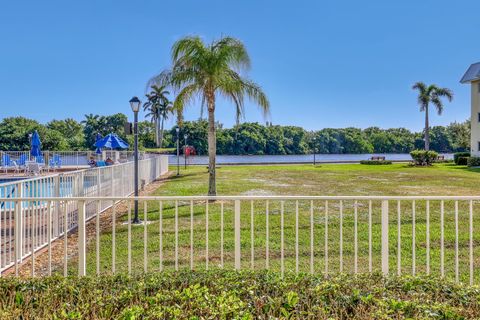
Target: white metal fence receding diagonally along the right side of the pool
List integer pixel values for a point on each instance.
(24, 224)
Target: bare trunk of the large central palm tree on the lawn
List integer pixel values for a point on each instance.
(212, 146)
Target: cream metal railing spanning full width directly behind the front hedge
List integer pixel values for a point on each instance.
(394, 235)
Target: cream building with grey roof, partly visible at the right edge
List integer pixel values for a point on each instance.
(472, 76)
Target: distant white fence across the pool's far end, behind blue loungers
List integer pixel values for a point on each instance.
(75, 158)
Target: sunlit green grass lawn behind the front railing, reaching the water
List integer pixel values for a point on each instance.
(342, 179)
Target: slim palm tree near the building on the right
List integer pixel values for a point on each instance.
(431, 94)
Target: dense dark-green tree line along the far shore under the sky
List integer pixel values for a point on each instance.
(245, 138)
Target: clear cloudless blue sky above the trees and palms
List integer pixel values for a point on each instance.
(322, 63)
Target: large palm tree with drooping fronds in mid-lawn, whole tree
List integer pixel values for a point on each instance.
(207, 71)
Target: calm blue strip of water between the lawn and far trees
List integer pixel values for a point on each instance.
(303, 158)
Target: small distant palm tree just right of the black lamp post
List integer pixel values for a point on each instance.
(158, 107)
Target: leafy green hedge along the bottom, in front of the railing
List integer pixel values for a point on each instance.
(219, 294)
